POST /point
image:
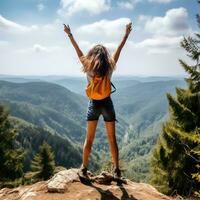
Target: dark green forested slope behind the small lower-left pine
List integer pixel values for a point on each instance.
(30, 137)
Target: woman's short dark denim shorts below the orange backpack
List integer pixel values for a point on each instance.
(98, 107)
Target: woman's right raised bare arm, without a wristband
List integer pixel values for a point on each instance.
(118, 51)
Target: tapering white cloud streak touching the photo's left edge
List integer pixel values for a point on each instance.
(12, 27)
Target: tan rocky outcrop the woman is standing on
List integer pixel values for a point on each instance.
(66, 185)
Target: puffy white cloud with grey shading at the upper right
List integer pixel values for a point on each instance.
(173, 23)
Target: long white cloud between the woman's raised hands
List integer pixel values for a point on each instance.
(104, 28)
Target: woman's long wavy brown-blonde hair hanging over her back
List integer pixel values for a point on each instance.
(98, 61)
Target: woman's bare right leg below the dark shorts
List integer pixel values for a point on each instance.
(110, 129)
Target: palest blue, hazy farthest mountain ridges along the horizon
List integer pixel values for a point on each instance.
(78, 84)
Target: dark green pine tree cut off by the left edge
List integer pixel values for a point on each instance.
(11, 158)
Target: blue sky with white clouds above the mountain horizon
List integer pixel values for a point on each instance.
(32, 41)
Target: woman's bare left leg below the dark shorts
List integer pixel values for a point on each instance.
(90, 134)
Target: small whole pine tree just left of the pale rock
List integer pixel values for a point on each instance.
(43, 163)
